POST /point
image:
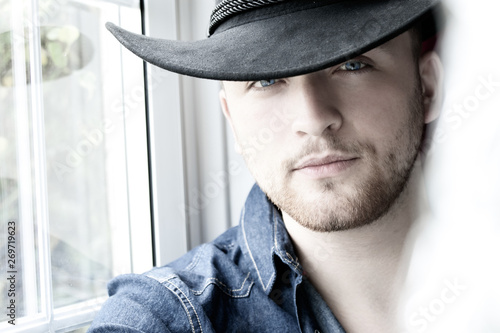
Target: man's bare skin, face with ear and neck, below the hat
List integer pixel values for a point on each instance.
(335, 150)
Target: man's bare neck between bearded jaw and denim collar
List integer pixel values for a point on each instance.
(360, 272)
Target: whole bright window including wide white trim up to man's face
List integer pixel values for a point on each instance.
(93, 185)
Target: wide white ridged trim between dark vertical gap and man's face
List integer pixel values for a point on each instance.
(195, 197)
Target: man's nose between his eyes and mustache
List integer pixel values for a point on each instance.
(315, 108)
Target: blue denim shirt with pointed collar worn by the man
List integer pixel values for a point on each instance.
(247, 280)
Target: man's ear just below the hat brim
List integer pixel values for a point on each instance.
(431, 77)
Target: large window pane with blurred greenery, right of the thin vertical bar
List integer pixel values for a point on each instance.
(76, 137)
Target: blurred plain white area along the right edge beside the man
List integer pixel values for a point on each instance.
(454, 273)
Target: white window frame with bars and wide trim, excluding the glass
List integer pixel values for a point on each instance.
(186, 145)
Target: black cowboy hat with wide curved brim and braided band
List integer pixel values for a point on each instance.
(264, 39)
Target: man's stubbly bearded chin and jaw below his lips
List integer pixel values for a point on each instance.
(330, 206)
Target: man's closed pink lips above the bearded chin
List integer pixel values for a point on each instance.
(326, 166)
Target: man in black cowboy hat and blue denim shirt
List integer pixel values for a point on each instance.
(320, 241)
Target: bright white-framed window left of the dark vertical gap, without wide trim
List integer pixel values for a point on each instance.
(74, 187)
